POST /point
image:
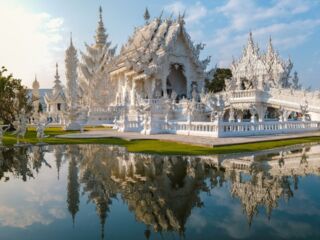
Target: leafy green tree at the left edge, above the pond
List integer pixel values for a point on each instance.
(10, 105)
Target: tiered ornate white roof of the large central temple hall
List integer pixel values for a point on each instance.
(145, 49)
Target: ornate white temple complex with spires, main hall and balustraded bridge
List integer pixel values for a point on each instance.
(156, 85)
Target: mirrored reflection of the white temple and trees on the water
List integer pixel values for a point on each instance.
(162, 191)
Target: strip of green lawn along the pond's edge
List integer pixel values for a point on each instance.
(156, 146)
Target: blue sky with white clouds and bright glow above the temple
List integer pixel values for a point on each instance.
(35, 33)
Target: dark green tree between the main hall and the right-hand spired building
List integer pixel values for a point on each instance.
(217, 84)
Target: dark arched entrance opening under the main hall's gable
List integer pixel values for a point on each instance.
(177, 82)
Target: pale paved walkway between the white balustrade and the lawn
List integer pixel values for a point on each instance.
(193, 140)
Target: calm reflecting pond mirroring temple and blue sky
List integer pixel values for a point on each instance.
(104, 192)
